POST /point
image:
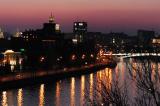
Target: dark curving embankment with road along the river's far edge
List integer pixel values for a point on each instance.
(25, 78)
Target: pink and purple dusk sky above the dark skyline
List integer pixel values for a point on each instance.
(101, 15)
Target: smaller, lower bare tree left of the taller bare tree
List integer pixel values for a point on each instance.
(109, 93)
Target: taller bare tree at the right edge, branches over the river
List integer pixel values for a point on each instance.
(145, 74)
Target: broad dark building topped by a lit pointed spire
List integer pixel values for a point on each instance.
(50, 30)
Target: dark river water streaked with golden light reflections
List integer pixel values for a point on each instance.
(66, 92)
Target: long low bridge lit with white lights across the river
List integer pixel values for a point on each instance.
(127, 55)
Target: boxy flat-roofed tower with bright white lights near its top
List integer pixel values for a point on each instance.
(80, 30)
